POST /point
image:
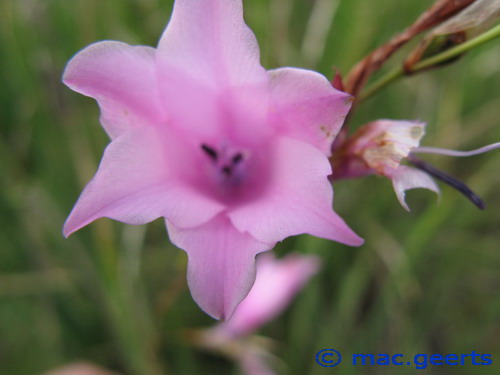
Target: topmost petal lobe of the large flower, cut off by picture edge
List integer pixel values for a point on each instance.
(209, 41)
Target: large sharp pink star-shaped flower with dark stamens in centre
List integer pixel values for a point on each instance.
(233, 157)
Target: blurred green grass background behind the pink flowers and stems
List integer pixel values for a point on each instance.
(425, 282)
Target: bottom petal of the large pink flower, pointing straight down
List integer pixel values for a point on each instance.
(221, 268)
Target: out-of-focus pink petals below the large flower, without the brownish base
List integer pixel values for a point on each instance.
(277, 282)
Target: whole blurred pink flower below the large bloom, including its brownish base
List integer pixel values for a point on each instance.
(277, 283)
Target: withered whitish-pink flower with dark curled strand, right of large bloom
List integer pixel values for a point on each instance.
(379, 147)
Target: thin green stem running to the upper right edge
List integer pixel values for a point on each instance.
(399, 72)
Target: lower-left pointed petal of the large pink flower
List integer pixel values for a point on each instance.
(135, 185)
